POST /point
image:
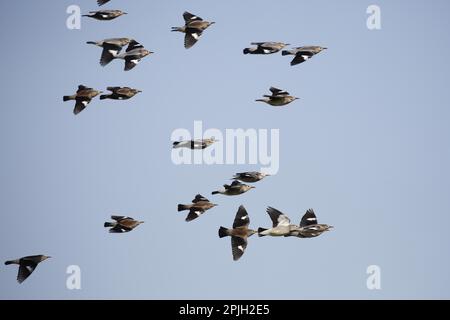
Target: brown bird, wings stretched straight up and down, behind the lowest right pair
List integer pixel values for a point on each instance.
(239, 233)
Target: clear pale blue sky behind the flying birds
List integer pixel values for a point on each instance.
(367, 146)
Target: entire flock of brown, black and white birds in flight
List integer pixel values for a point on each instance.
(193, 29)
